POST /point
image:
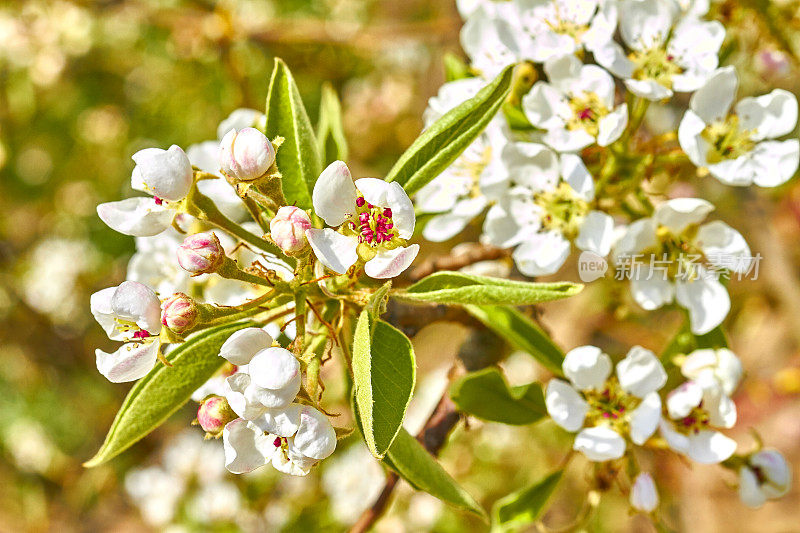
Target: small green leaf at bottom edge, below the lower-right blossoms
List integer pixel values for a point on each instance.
(524, 506)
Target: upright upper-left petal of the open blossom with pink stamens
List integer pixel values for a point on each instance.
(334, 195)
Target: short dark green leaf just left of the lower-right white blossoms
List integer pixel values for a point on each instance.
(486, 394)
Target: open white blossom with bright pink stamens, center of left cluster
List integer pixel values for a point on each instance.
(374, 220)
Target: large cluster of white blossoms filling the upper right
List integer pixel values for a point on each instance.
(533, 186)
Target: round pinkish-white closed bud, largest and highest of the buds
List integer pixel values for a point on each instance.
(246, 155)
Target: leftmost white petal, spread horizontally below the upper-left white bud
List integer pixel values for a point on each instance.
(139, 216)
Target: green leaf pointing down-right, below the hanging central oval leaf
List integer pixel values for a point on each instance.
(413, 463)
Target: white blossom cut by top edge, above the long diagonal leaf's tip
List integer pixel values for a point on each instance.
(559, 27)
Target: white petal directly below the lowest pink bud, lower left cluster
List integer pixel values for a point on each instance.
(246, 447)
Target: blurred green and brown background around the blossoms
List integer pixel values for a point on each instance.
(83, 85)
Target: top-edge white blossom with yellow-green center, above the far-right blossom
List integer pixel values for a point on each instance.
(667, 52)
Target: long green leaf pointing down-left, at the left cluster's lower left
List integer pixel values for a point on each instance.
(165, 389)
